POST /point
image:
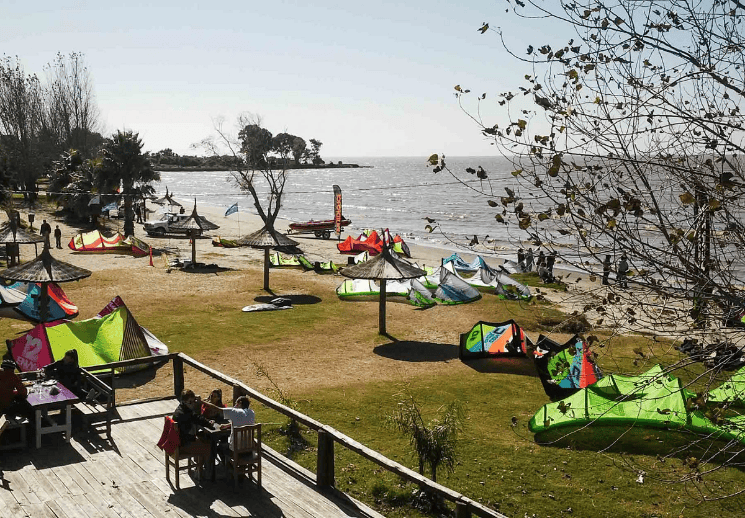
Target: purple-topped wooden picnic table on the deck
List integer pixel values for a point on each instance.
(42, 400)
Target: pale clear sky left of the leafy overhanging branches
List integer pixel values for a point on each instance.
(366, 79)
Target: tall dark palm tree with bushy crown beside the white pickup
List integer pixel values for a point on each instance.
(123, 162)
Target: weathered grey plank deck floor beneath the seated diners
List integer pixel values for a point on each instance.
(91, 477)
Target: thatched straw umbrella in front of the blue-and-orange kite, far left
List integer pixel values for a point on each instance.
(45, 269)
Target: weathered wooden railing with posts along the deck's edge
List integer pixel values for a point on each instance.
(327, 436)
